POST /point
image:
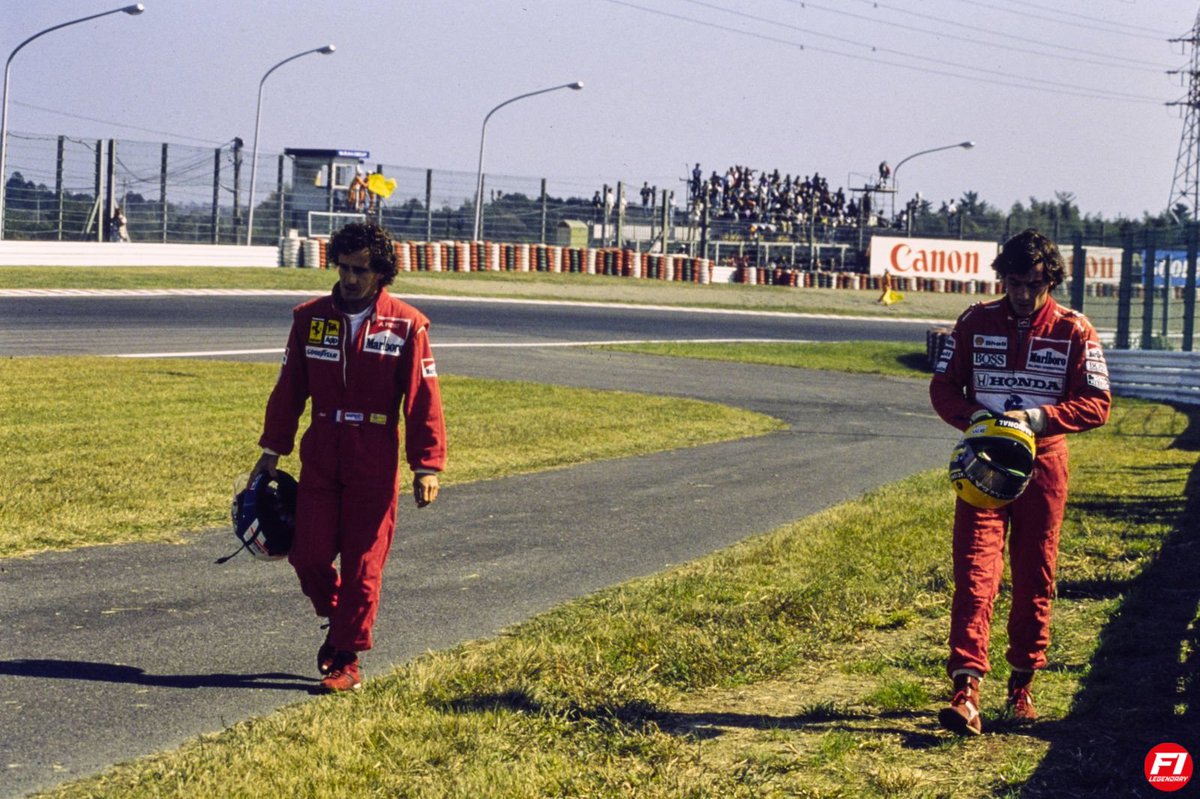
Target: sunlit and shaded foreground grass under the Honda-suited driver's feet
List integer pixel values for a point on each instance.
(807, 663)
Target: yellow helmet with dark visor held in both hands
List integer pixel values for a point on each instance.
(993, 464)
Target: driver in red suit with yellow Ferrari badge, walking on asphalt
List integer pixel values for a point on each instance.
(364, 359)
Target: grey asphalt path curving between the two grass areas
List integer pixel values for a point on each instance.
(112, 653)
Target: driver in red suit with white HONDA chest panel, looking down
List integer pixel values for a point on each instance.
(1027, 358)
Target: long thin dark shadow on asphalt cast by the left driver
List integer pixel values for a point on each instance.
(81, 670)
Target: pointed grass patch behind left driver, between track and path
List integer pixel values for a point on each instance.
(107, 450)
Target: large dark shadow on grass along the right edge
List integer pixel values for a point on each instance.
(1144, 688)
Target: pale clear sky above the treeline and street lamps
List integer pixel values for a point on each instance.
(1059, 95)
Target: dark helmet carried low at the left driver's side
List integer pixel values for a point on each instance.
(265, 516)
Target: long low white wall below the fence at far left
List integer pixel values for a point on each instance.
(92, 254)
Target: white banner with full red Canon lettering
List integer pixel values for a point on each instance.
(944, 259)
